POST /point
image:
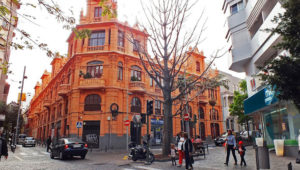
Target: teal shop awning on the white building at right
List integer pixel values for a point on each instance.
(261, 99)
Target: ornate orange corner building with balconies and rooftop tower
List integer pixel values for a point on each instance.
(102, 70)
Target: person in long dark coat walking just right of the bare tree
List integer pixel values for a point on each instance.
(188, 149)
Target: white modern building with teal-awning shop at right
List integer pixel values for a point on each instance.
(251, 46)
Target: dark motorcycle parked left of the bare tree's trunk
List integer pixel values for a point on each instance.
(138, 152)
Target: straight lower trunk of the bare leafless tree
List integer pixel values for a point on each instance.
(168, 127)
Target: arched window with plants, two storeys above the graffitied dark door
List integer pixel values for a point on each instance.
(94, 69)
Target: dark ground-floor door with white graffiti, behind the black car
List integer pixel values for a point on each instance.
(90, 133)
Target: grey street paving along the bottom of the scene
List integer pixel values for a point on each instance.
(35, 158)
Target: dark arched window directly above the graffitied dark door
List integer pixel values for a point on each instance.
(92, 103)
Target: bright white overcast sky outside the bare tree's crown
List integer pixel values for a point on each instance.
(46, 29)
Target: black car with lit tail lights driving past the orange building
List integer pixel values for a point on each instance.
(68, 147)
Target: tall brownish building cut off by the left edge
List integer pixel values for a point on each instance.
(8, 24)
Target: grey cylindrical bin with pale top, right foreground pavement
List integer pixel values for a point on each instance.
(262, 155)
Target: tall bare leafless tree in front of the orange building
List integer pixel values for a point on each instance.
(171, 48)
